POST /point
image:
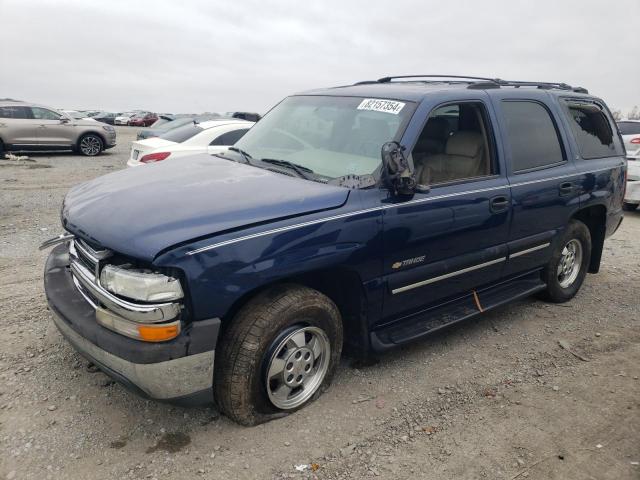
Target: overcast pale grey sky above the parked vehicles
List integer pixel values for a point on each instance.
(223, 55)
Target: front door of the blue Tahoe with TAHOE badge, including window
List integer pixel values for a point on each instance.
(450, 240)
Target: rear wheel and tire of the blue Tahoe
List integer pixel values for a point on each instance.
(569, 263)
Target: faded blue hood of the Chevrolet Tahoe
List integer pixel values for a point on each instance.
(141, 211)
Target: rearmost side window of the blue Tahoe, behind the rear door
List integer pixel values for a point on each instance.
(592, 130)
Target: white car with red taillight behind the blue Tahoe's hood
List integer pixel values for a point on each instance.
(212, 136)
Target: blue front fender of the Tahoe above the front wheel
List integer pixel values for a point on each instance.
(244, 261)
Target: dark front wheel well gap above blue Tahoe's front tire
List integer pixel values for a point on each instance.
(342, 285)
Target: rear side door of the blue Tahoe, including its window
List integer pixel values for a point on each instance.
(545, 184)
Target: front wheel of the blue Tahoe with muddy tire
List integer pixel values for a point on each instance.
(281, 327)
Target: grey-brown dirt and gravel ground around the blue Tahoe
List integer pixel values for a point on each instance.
(495, 398)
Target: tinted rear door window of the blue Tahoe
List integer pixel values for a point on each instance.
(532, 135)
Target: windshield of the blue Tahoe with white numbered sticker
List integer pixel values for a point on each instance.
(332, 136)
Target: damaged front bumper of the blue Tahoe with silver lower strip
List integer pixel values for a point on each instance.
(178, 371)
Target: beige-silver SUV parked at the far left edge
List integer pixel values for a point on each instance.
(25, 126)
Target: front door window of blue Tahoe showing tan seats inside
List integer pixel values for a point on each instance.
(456, 144)
